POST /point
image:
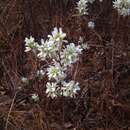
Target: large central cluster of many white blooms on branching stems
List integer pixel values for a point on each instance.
(61, 55)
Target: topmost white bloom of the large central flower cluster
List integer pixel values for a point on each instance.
(57, 35)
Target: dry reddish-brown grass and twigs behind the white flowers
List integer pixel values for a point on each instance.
(103, 71)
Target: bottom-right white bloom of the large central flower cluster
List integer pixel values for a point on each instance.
(70, 88)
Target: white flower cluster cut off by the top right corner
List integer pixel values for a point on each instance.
(122, 6)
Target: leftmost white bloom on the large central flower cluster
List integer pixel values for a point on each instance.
(30, 44)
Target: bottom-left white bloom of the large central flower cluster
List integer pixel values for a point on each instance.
(51, 89)
